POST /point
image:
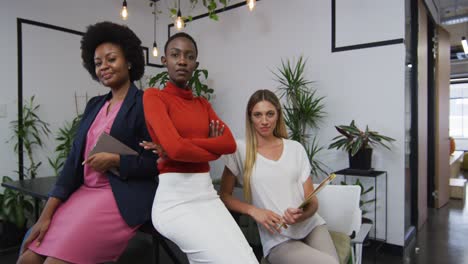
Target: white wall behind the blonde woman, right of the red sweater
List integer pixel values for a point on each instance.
(366, 84)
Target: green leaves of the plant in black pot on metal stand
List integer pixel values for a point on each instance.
(353, 139)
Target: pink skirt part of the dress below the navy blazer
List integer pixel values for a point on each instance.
(87, 228)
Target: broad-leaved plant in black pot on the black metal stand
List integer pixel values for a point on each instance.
(358, 144)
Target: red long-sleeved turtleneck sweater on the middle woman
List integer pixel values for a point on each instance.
(179, 122)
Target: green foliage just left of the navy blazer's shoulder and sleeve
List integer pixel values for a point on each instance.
(65, 137)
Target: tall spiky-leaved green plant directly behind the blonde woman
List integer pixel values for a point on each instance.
(303, 109)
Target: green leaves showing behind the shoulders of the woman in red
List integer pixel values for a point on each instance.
(196, 82)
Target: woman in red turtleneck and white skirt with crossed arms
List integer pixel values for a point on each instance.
(186, 208)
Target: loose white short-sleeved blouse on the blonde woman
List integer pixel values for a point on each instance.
(276, 186)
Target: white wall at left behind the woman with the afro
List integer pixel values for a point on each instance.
(52, 68)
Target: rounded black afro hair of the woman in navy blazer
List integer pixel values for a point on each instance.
(124, 37)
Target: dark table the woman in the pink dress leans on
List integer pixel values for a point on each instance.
(39, 188)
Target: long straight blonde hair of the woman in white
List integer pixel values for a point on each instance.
(250, 135)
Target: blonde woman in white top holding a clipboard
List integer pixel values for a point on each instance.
(275, 175)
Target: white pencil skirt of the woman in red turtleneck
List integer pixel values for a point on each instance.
(188, 211)
